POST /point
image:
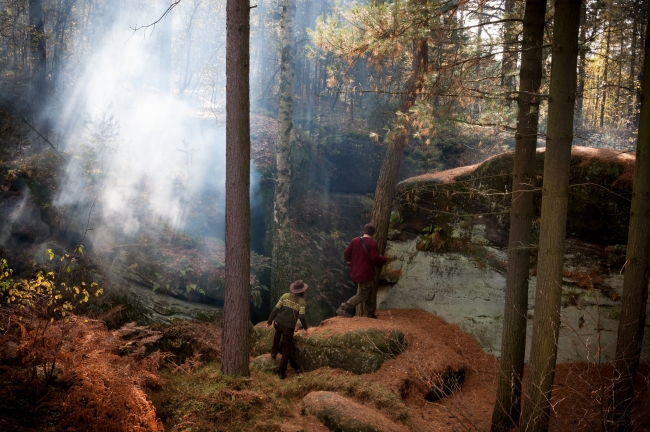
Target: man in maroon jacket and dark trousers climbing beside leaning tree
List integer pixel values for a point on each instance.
(362, 254)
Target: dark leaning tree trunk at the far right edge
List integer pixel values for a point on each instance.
(637, 271)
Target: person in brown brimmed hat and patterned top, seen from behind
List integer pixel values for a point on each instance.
(284, 317)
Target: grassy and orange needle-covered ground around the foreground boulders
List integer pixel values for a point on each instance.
(203, 399)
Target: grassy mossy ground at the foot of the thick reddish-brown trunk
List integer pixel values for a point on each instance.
(206, 400)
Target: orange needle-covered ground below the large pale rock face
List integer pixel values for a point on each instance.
(434, 346)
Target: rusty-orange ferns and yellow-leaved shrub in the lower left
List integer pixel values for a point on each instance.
(44, 344)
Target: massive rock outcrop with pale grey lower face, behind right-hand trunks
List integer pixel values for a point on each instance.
(448, 250)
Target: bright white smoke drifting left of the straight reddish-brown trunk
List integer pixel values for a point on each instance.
(134, 146)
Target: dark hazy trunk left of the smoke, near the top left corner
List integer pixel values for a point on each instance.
(39, 64)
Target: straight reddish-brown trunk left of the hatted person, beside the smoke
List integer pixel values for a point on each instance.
(234, 351)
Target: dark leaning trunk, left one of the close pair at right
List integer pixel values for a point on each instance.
(513, 343)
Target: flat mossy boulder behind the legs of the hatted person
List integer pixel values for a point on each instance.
(359, 351)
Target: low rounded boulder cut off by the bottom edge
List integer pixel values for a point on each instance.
(339, 413)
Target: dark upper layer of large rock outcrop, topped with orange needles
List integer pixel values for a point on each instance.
(600, 182)
